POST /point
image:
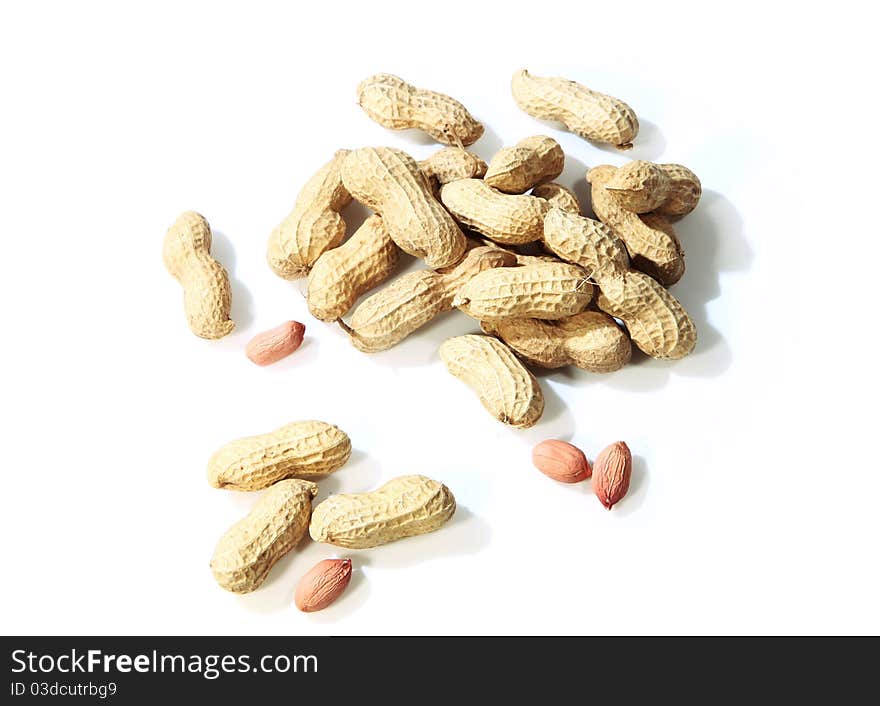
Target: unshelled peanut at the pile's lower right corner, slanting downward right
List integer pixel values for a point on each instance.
(657, 322)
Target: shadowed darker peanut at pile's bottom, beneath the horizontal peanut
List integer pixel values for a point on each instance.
(590, 340)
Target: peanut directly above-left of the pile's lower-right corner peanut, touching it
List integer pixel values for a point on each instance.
(585, 242)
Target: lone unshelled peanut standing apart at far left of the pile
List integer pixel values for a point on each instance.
(207, 298)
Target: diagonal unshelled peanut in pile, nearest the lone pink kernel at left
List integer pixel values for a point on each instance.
(341, 275)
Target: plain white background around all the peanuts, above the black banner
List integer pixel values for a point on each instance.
(755, 494)
